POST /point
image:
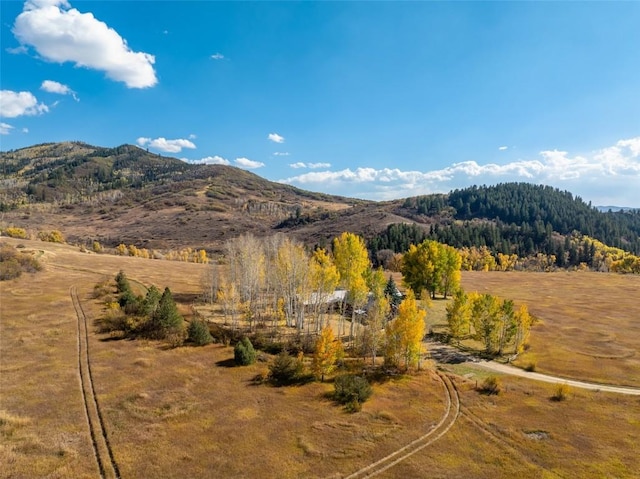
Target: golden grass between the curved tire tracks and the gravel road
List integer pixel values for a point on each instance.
(523, 433)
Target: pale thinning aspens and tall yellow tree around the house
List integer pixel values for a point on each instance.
(277, 280)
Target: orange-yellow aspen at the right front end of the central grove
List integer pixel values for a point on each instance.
(405, 333)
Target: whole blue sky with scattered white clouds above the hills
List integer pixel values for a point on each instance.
(374, 100)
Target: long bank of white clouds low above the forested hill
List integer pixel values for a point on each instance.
(606, 176)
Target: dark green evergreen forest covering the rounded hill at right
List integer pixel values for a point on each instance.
(524, 218)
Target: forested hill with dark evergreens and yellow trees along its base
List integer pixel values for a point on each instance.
(516, 218)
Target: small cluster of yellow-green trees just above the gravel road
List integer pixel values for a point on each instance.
(493, 321)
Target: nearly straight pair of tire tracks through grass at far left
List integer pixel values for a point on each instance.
(103, 453)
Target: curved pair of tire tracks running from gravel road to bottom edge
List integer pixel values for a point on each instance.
(452, 410)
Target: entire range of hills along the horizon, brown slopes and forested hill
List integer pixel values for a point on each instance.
(128, 195)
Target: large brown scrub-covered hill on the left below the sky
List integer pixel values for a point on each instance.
(127, 194)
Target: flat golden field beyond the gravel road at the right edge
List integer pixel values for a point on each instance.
(589, 325)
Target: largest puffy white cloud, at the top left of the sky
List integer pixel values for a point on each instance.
(62, 34)
